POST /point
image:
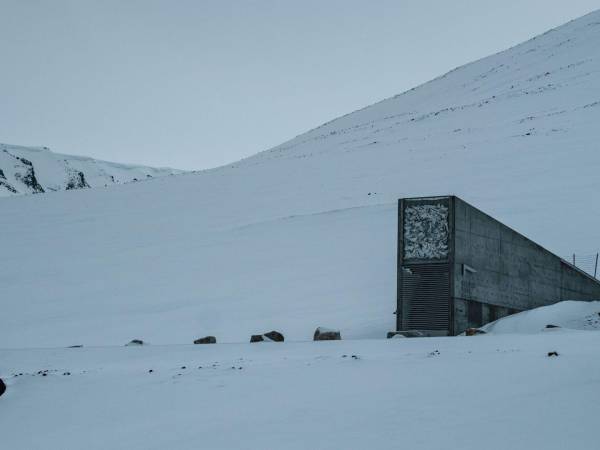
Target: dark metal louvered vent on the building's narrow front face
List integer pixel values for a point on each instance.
(426, 296)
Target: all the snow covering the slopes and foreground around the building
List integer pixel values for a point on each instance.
(301, 235)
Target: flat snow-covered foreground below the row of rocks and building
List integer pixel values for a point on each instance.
(492, 391)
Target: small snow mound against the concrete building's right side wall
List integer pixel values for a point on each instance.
(567, 314)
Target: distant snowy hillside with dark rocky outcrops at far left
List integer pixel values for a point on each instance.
(33, 170)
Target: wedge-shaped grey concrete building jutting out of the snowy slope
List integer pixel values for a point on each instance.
(460, 268)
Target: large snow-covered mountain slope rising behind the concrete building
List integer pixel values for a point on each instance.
(304, 234)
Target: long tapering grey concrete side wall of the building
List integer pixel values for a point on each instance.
(505, 272)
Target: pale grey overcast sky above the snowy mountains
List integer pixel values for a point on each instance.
(196, 84)
